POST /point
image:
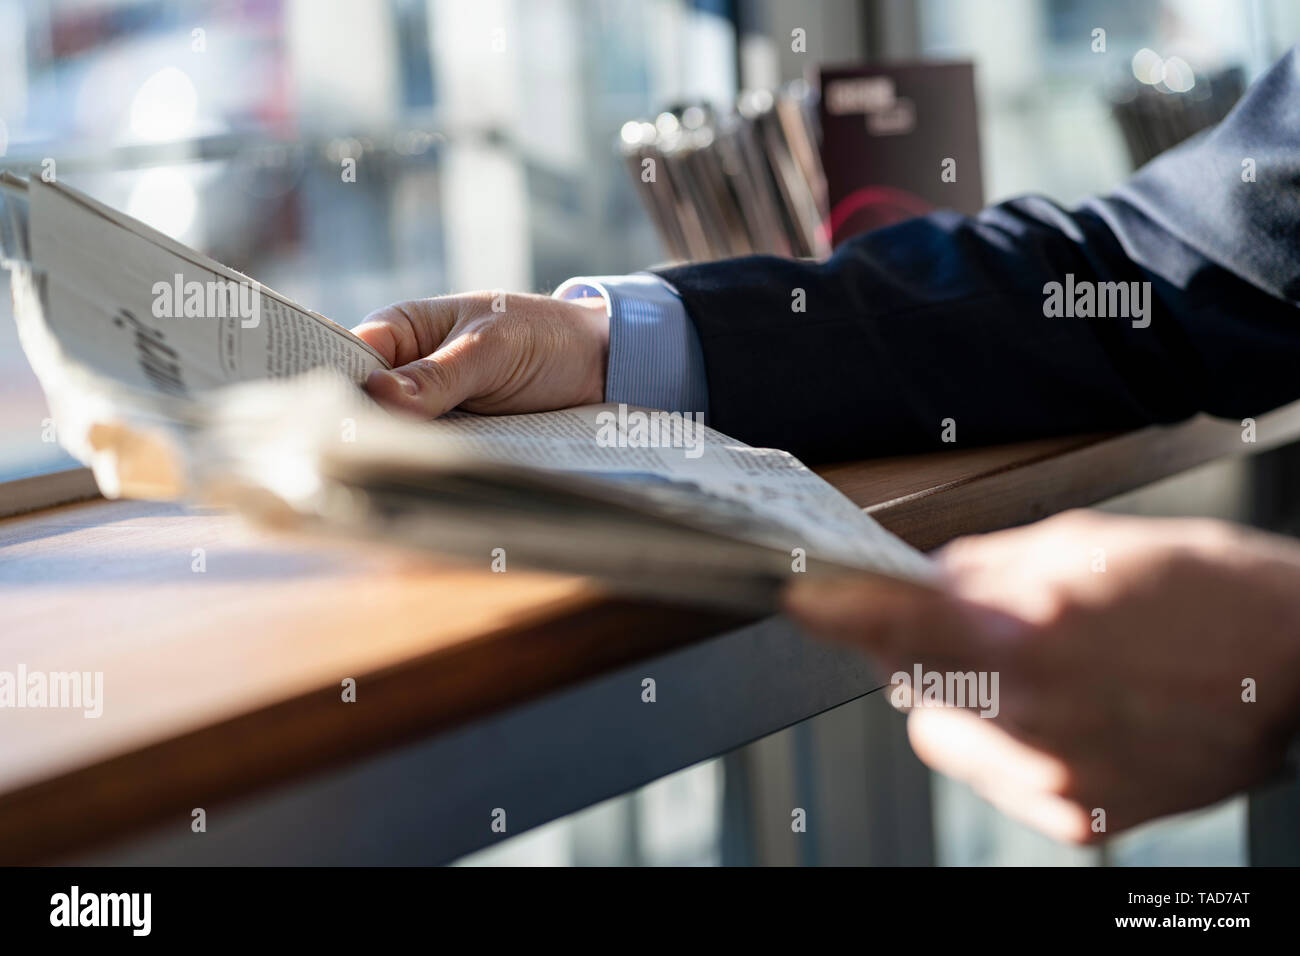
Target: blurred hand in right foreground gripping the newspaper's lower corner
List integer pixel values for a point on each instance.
(1123, 647)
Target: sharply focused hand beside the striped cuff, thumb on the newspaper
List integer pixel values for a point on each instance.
(489, 353)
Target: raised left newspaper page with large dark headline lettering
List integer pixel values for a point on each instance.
(124, 325)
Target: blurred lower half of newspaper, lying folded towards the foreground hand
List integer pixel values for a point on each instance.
(697, 516)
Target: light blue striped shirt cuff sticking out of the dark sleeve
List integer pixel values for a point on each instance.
(655, 352)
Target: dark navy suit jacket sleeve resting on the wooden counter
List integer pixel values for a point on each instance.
(943, 317)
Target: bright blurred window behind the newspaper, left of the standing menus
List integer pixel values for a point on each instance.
(482, 161)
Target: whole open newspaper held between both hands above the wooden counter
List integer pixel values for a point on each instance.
(174, 377)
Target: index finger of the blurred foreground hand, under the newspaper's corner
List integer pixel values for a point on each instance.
(902, 622)
